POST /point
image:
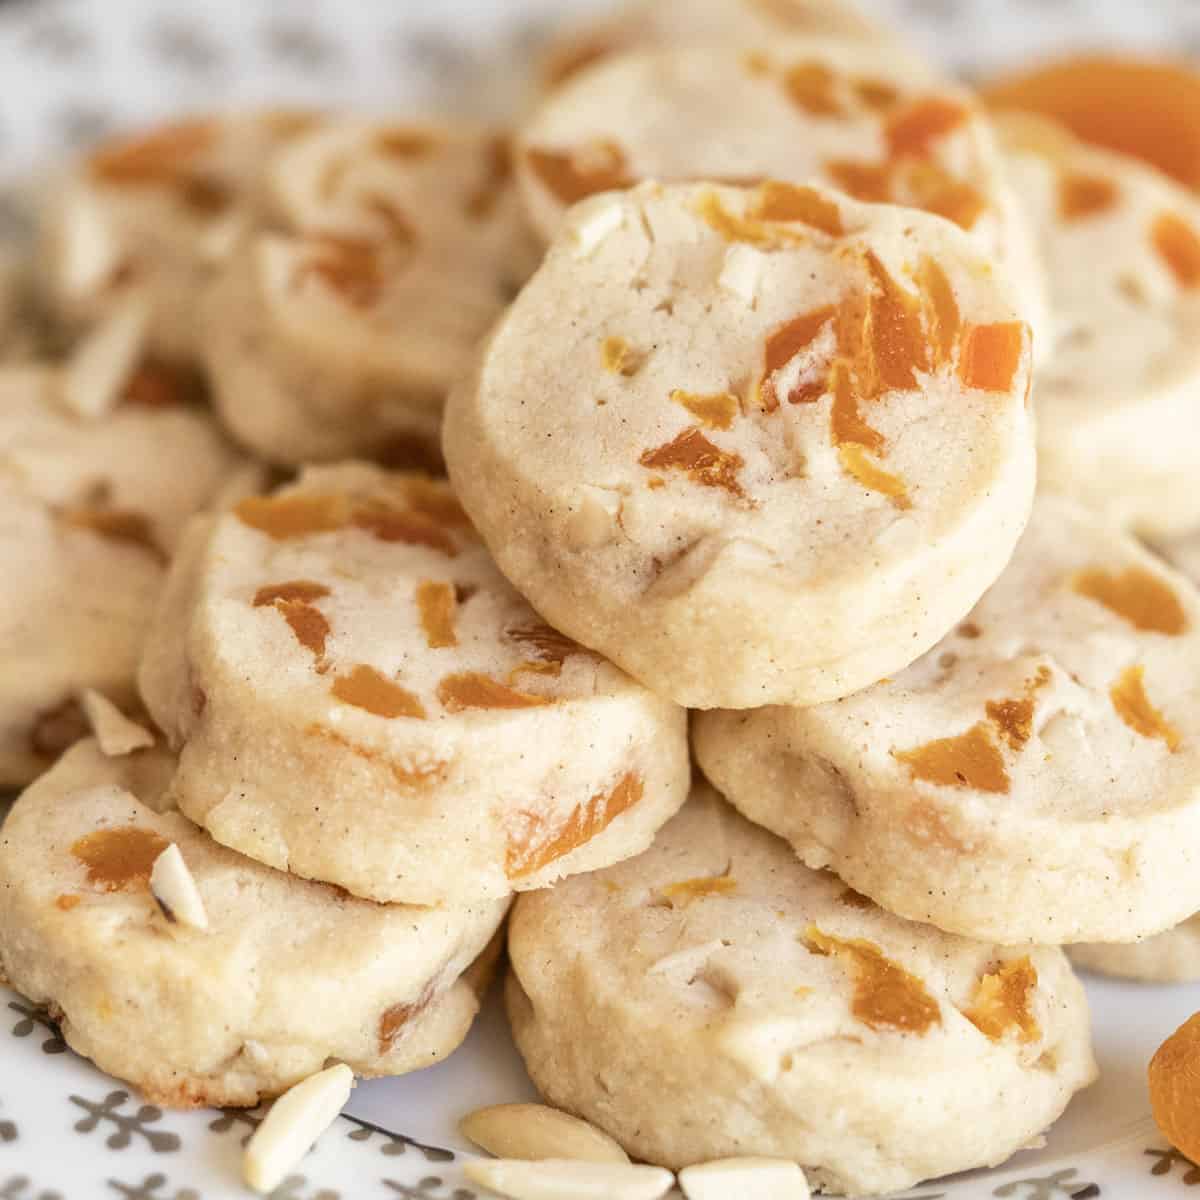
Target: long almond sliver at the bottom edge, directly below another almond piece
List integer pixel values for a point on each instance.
(565, 1180)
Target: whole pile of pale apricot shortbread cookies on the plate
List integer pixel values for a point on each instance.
(757, 439)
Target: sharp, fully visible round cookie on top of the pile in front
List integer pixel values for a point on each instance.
(757, 447)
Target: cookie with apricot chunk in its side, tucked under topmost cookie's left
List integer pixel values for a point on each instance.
(362, 699)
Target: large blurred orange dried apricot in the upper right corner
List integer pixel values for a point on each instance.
(1143, 107)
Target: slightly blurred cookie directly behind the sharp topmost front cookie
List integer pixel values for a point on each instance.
(850, 116)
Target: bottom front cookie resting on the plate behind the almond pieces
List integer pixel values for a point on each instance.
(713, 998)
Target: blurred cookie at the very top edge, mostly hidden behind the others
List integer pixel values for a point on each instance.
(646, 25)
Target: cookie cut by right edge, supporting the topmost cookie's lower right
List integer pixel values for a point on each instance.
(1034, 778)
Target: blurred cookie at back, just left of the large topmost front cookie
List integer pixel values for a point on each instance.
(341, 337)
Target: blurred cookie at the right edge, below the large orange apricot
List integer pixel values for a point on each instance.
(1119, 397)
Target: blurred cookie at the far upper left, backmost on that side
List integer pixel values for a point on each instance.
(155, 215)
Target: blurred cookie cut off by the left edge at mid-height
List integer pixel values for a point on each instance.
(89, 514)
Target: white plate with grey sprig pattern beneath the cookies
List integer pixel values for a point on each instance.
(70, 73)
